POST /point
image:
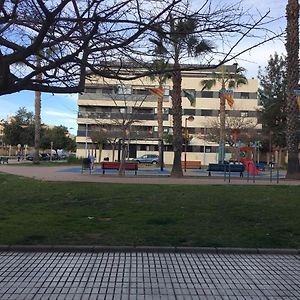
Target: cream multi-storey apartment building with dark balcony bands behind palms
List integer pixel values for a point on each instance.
(111, 105)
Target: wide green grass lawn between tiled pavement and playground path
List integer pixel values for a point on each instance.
(36, 212)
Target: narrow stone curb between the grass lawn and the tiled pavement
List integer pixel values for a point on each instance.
(130, 249)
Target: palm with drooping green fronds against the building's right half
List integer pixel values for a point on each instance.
(228, 80)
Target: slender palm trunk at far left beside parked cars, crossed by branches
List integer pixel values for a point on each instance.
(37, 117)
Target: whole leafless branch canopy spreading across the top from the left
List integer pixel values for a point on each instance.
(76, 38)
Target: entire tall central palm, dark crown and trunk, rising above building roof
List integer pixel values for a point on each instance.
(178, 41)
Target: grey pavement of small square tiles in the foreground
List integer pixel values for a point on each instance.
(148, 275)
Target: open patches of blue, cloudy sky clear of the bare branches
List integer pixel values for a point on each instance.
(62, 109)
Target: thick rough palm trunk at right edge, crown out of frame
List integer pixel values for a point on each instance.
(292, 48)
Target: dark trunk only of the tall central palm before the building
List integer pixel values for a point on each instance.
(177, 122)
